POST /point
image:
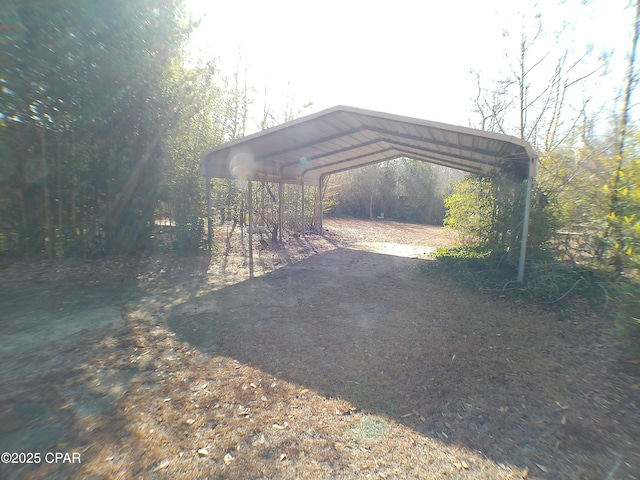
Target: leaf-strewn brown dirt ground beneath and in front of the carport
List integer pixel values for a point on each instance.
(343, 358)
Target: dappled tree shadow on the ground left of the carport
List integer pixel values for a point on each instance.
(47, 332)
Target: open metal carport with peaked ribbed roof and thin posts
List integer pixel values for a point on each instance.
(306, 150)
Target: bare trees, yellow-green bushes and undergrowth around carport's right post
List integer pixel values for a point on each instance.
(585, 229)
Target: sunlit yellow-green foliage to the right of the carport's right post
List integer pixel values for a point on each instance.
(581, 184)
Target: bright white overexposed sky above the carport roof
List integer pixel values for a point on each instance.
(407, 57)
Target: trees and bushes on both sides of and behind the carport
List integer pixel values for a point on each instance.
(104, 114)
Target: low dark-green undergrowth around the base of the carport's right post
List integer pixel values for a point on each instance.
(561, 286)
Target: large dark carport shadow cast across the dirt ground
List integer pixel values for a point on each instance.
(368, 328)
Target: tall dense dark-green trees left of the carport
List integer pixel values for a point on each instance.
(87, 97)
